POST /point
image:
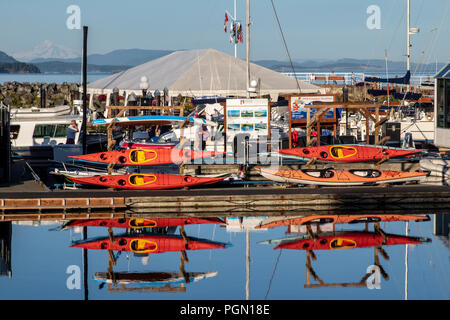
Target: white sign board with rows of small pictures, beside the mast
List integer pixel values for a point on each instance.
(250, 116)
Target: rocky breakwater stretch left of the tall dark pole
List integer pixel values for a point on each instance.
(26, 95)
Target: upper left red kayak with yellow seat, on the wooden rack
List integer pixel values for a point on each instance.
(145, 156)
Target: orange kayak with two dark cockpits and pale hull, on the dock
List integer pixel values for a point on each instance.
(333, 177)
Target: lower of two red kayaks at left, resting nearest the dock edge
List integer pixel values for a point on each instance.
(146, 181)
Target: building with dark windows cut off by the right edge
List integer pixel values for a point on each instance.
(442, 107)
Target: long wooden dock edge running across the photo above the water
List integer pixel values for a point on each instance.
(249, 201)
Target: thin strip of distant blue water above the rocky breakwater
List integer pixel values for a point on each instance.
(57, 78)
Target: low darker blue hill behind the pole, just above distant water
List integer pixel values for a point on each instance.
(75, 67)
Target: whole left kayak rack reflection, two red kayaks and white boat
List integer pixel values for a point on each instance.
(144, 236)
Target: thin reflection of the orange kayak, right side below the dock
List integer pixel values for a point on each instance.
(342, 219)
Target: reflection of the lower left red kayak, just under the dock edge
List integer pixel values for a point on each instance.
(136, 223)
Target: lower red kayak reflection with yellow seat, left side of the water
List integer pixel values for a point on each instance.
(145, 243)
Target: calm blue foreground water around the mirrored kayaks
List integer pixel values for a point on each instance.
(41, 257)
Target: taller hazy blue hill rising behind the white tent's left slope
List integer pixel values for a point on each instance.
(123, 57)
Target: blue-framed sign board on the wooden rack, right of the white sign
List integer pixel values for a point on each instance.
(299, 112)
